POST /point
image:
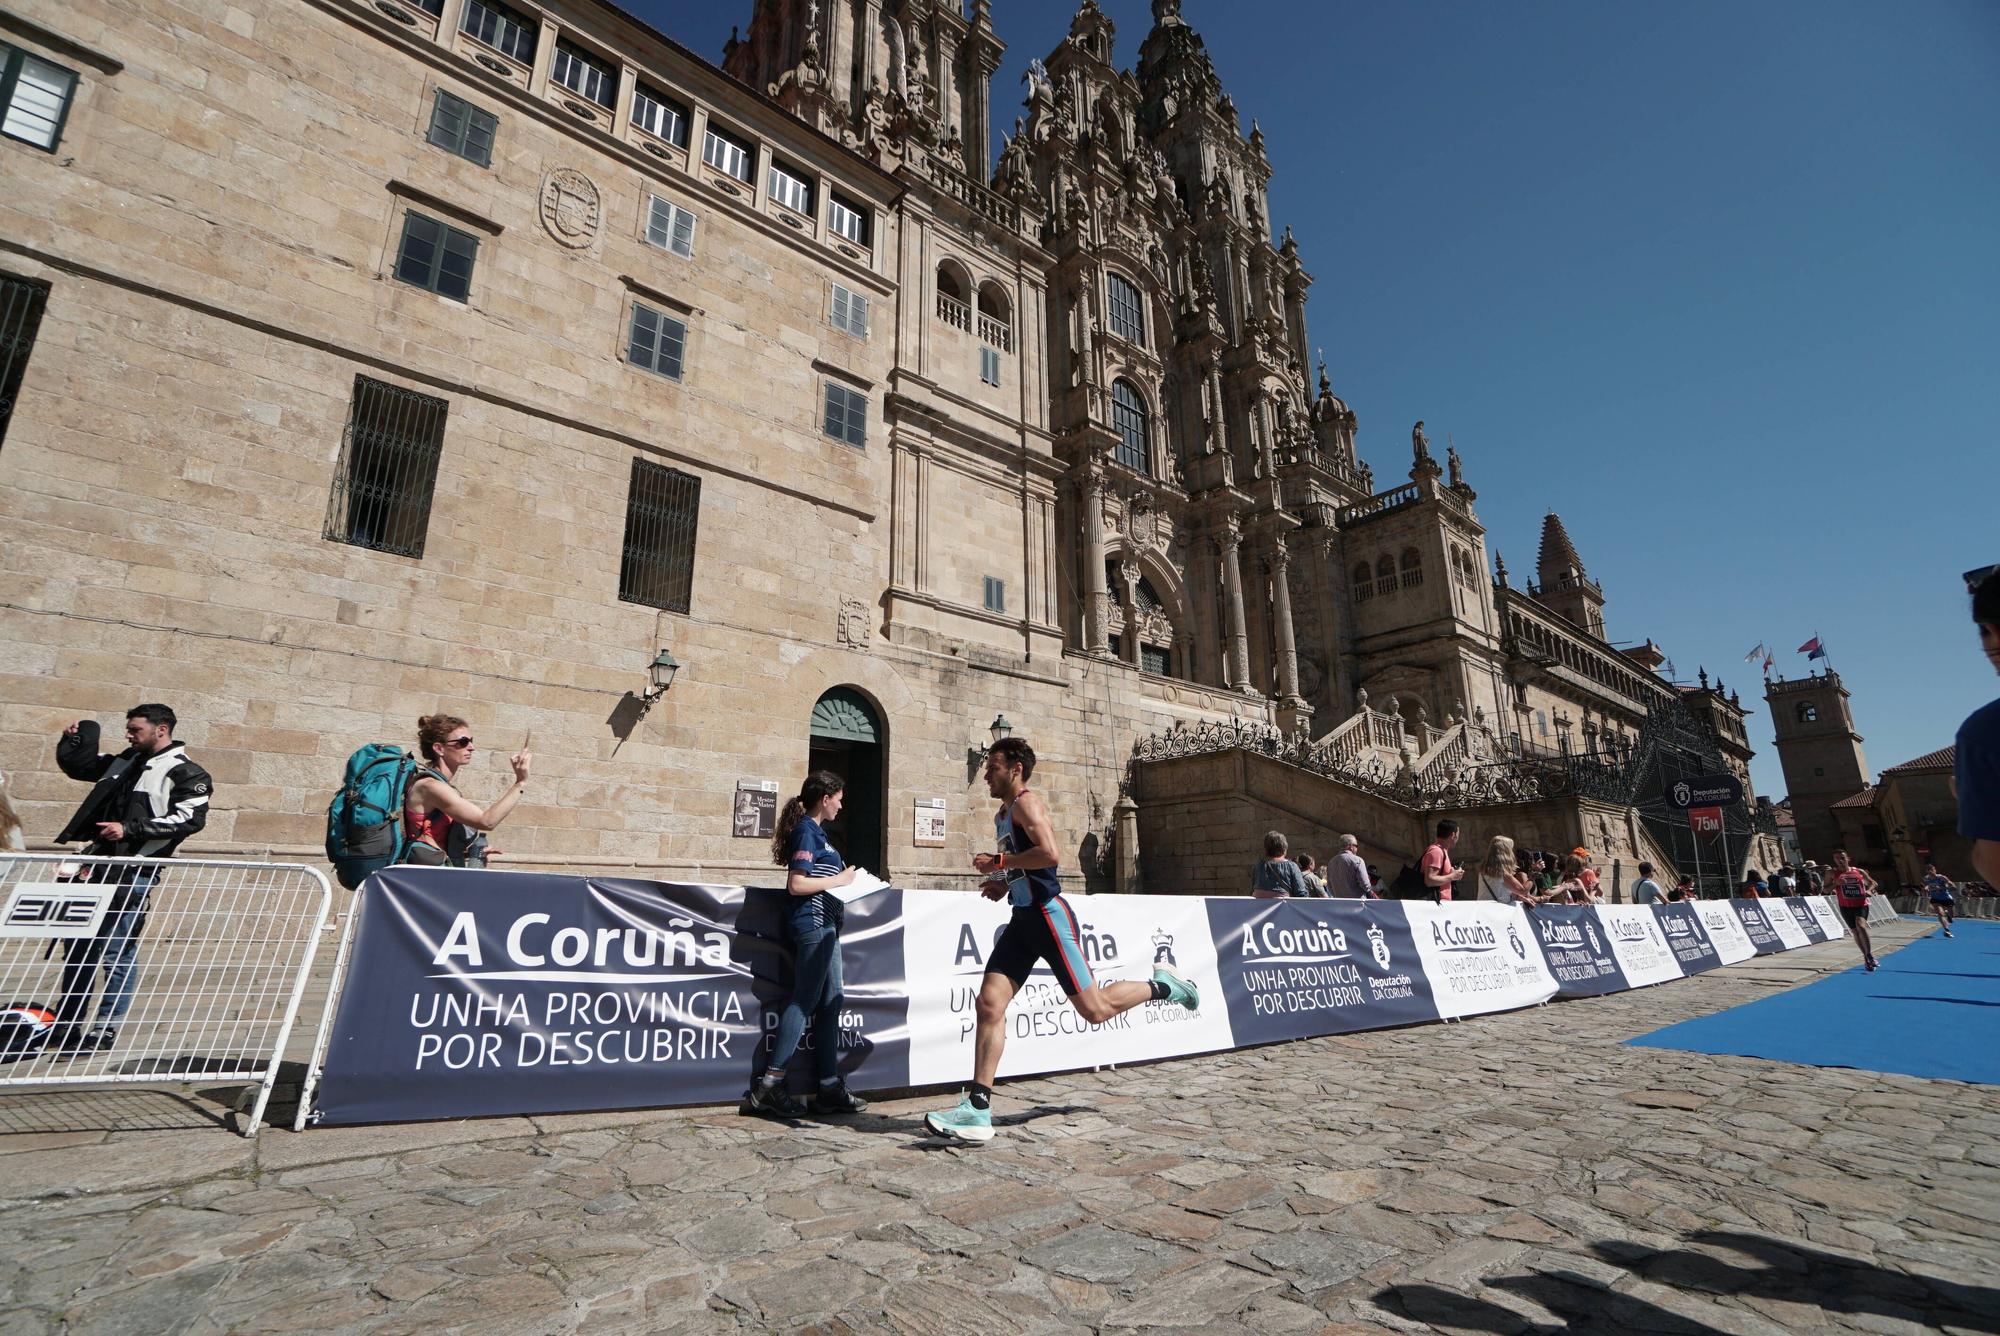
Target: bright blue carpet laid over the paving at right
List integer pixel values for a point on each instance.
(1931, 1011)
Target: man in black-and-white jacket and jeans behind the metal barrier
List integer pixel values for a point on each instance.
(145, 803)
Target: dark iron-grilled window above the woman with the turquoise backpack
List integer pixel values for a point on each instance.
(389, 469)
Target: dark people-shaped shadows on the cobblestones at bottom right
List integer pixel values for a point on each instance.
(1781, 1271)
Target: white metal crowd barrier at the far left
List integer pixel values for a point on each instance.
(153, 971)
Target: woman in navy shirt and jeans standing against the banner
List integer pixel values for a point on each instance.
(813, 869)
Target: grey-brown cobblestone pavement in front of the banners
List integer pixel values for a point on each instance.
(1517, 1173)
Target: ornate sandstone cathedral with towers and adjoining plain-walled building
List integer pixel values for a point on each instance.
(521, 349)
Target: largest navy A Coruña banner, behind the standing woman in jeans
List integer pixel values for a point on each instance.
(517, 993)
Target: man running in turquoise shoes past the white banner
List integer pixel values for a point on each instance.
(1043, 929)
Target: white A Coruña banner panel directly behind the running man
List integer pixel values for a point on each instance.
(951, 935)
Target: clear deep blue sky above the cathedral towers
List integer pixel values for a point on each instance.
(1715, 281)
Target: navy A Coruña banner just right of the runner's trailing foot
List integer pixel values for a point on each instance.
(1293, 969)
